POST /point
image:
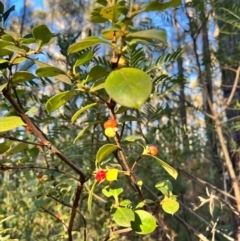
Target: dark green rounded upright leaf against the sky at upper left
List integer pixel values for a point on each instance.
(42, 35)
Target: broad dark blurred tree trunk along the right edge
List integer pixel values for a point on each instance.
(228, 49)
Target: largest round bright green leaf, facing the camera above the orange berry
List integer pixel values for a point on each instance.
(129, 87)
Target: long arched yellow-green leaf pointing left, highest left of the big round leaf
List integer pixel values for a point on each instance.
(85, 43)
